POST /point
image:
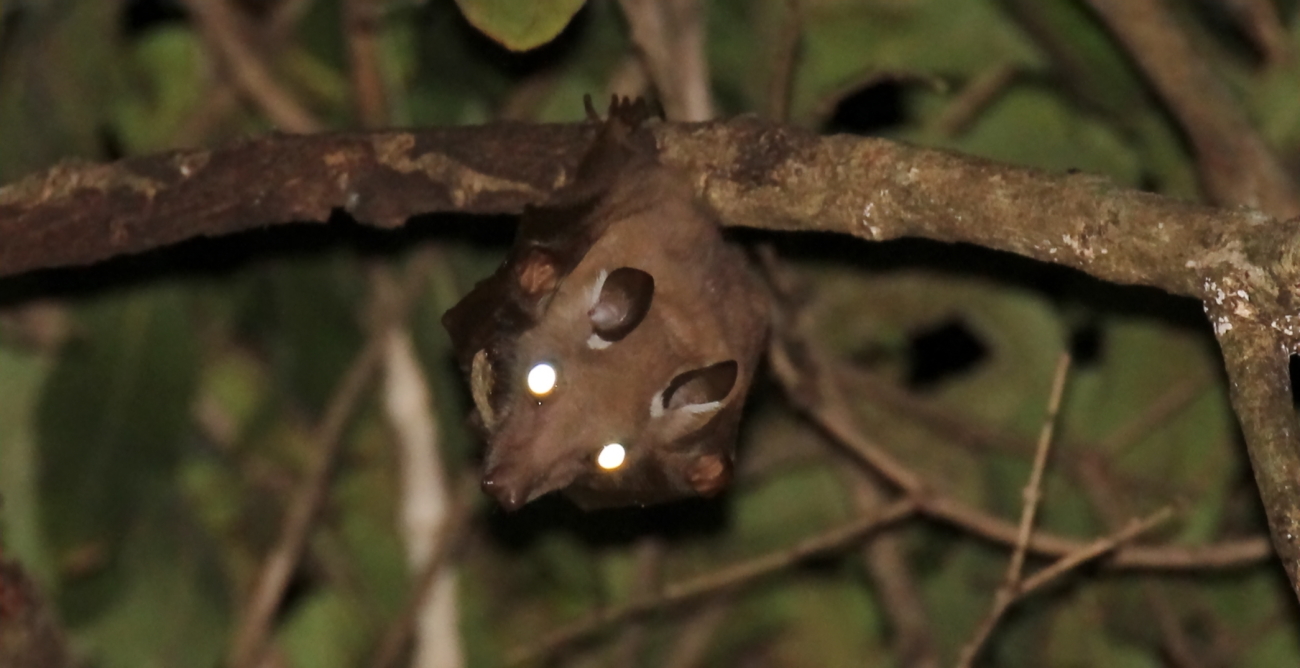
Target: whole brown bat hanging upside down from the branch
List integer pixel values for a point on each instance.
(609, 357)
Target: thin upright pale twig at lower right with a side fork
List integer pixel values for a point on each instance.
(1012, 585)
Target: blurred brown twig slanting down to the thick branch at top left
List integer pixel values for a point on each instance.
(222, 28)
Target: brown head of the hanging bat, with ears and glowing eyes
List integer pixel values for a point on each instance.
(608, 402)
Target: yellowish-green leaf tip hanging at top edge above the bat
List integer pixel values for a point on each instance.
(521, 25)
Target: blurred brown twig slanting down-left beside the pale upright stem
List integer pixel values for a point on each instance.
(250, 640)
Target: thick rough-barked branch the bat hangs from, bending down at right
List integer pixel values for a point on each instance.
(1243, 264)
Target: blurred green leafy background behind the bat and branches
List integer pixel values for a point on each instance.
(157, 413)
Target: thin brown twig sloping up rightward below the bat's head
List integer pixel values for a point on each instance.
(723, 580)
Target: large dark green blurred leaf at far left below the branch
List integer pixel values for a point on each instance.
(111, 426)
